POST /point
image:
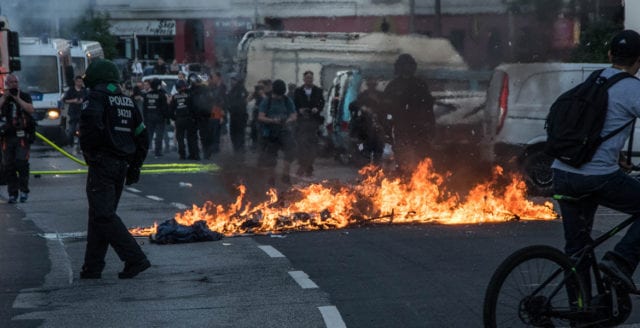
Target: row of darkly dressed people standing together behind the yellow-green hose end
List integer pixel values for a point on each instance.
(203, 108)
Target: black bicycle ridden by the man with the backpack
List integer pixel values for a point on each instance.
(540, 286)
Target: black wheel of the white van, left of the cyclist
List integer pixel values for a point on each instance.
(536, 168)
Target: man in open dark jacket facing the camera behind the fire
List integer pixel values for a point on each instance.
(309, 102)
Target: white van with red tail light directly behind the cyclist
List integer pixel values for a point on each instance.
(517, 104)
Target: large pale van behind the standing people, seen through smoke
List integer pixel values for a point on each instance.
(339, 62)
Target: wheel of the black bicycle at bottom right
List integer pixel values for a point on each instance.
(534, 287)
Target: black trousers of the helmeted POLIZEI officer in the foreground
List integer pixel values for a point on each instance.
(105, 182)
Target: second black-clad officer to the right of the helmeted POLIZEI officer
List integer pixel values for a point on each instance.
(182, 113)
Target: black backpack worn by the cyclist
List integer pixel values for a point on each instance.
(576, 118)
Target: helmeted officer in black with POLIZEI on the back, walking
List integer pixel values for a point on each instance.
(114, 144)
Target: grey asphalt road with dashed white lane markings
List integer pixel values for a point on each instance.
(368, 276)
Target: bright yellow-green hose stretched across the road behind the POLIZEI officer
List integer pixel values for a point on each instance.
(146, 168)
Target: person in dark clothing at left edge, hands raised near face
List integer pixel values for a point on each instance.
(17, 134)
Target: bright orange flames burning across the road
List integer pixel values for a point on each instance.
(375, 199)
